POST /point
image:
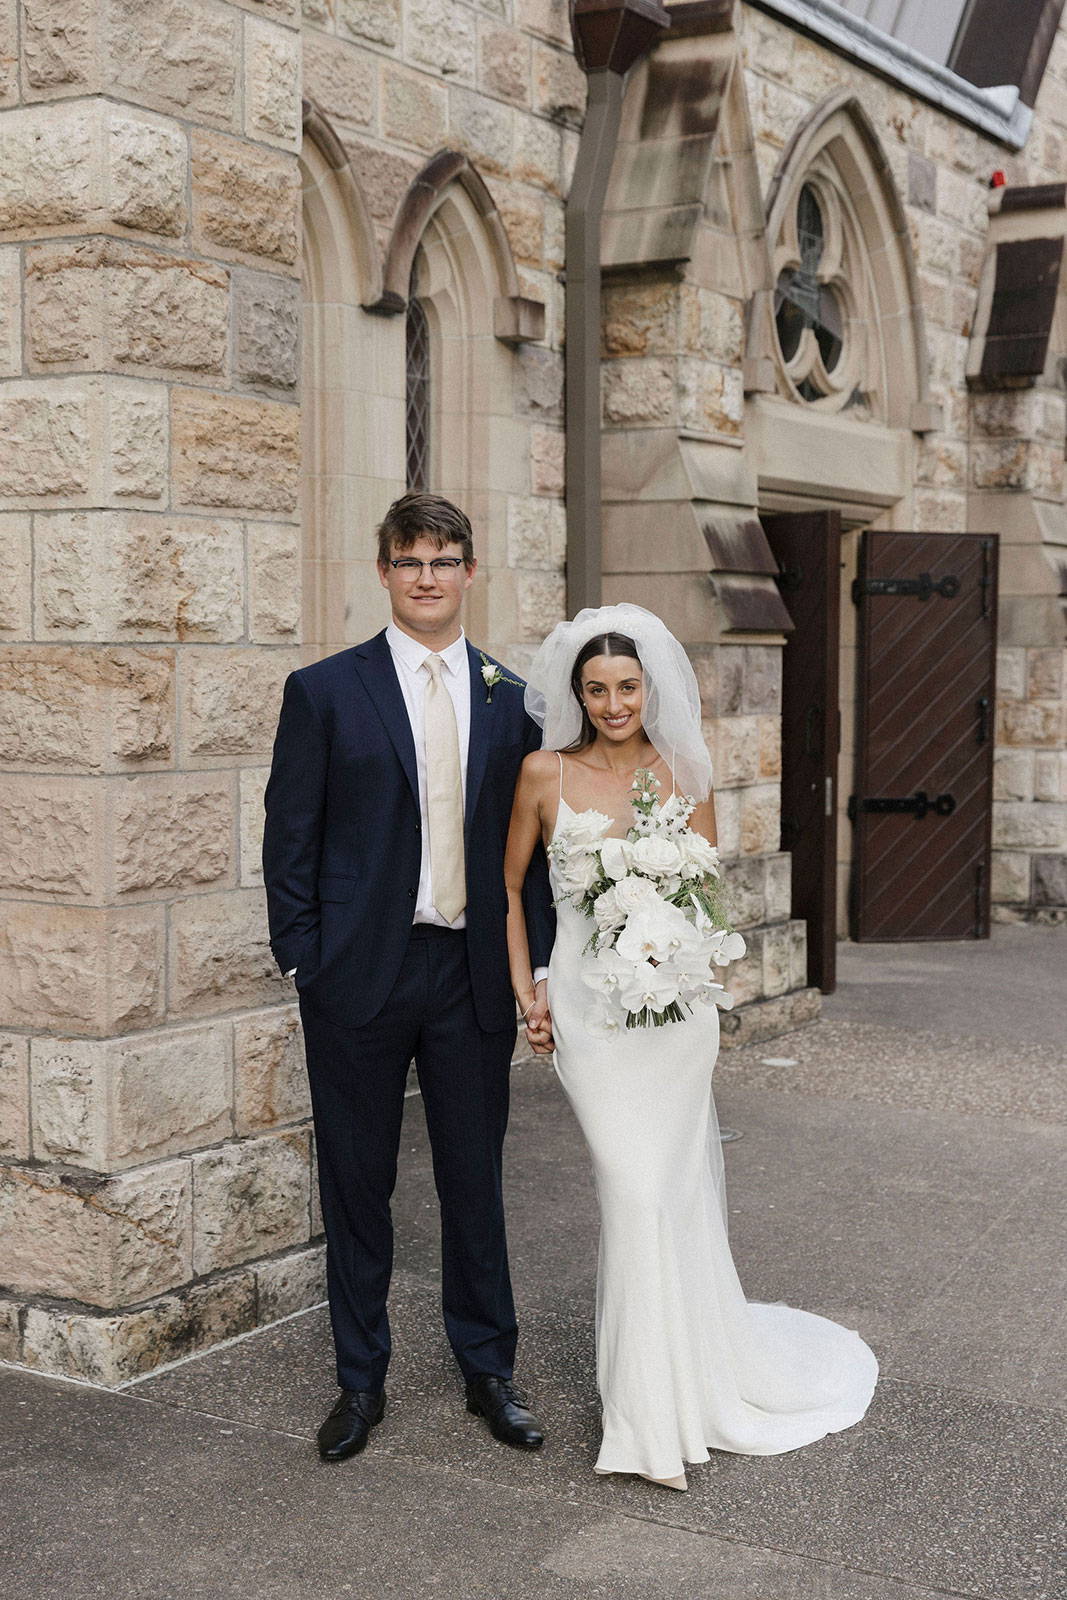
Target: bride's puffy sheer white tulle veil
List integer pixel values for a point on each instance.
(671, 711)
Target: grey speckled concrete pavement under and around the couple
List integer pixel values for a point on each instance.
(901, 1170)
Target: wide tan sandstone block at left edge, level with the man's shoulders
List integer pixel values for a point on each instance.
(86, 710)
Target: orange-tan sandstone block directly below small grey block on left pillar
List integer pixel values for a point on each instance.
(234, 452)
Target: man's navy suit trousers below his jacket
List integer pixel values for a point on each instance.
(358, 1082)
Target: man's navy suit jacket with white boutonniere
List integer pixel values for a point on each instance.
(343, 841)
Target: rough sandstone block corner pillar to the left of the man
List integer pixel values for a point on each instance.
(158, 1182)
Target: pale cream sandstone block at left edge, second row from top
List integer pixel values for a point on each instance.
(49, 167)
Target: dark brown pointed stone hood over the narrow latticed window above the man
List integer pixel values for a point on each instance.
(516, 318)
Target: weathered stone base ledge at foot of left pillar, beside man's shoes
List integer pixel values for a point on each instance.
(71, 1342)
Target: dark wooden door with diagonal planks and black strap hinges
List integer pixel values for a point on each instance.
(925, 735)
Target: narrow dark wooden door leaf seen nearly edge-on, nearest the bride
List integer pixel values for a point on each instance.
(809, 551)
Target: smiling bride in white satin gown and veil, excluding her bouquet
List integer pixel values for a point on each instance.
(684, 1362)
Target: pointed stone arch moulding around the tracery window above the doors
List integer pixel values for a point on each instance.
(837, 146)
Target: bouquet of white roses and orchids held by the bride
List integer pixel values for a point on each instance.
(657, 905)
